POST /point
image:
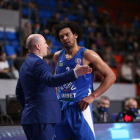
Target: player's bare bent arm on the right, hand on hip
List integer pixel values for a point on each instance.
(109, 77)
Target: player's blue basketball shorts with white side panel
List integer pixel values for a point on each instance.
(75, 124)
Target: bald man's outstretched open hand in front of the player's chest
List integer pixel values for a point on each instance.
(81, 70)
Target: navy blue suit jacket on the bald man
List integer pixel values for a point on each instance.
(36, 93)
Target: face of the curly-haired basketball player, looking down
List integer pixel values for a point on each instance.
(67, 38)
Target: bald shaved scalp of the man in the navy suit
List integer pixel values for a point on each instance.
(32, 40)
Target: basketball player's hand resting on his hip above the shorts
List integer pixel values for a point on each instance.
(85, 102)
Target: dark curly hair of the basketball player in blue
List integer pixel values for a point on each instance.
(70, 24)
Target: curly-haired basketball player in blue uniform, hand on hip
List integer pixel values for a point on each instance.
(76, 97)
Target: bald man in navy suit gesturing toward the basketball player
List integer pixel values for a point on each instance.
(35, 90)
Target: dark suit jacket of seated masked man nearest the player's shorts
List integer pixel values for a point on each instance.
(97, 116)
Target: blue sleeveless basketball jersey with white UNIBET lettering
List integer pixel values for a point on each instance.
(76, 90)
